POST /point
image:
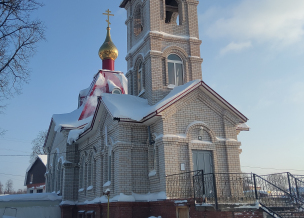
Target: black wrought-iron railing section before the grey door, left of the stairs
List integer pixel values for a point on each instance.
(213, 188)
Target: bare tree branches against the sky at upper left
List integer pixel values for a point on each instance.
(19, 35)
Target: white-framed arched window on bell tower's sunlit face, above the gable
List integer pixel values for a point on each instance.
(175, 70)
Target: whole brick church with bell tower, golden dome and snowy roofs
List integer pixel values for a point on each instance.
(133, 129)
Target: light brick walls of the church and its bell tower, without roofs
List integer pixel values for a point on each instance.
(123, 147)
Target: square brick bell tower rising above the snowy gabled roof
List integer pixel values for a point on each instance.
(163, 46)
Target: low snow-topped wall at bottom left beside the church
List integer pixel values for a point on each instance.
(30, 205)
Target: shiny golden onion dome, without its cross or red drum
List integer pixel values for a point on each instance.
(108, 50)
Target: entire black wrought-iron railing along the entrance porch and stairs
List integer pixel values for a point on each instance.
(283, 190)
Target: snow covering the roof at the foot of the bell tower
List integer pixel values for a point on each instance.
(136, 108)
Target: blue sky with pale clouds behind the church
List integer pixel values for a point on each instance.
(253, 57)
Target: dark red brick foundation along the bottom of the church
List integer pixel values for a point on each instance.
(165, 209)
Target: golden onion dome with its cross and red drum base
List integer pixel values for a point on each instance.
(108, 51)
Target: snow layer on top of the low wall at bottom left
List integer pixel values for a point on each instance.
(31, 197)
